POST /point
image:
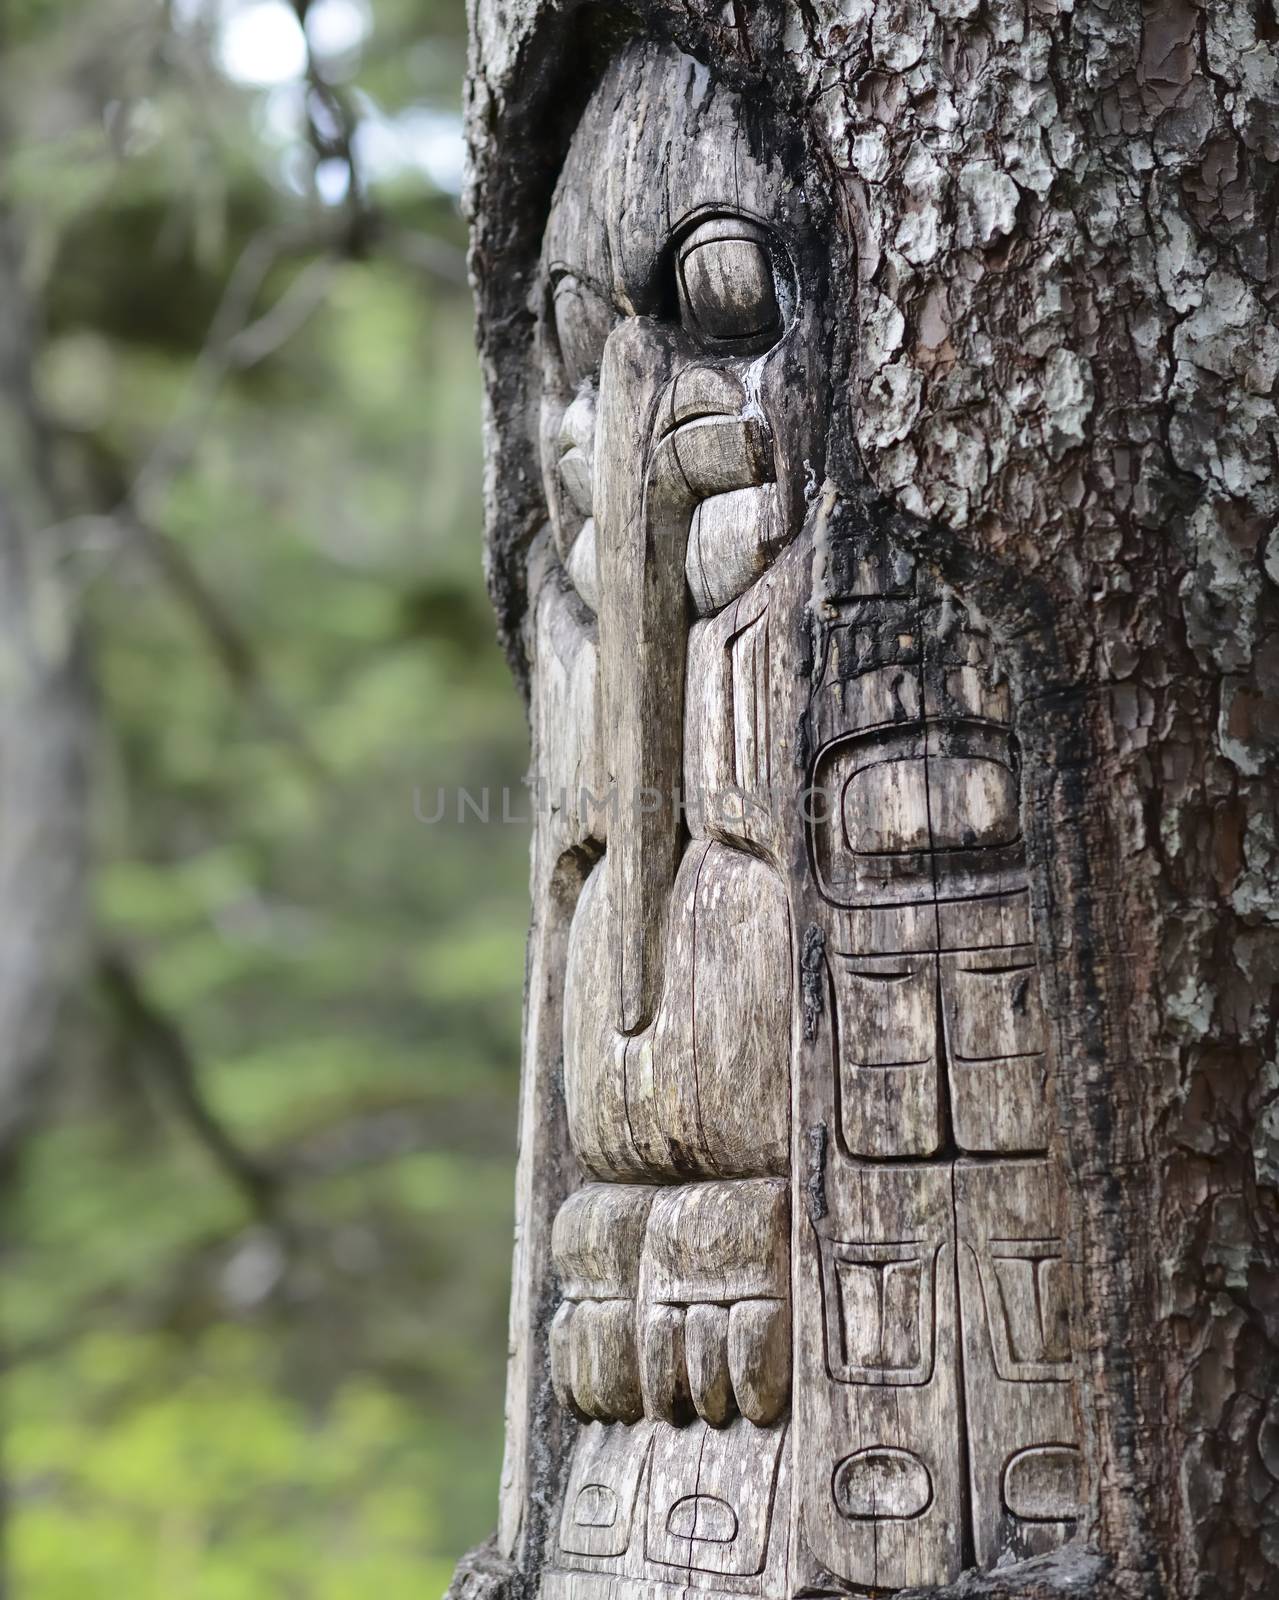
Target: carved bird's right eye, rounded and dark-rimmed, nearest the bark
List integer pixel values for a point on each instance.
(726, 282)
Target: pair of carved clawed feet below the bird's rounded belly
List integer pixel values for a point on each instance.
(676, 1303)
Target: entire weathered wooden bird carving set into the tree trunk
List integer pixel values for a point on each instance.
(814, 1295)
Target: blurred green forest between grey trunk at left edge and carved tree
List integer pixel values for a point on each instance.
(259, 1214)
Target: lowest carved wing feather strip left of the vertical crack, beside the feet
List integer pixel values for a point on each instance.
(878, 1386)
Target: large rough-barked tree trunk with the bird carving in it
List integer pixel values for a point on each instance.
(897, 604)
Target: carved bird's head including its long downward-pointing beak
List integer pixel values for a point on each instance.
(681, 426)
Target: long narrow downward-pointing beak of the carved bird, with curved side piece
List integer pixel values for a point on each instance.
(657, 457)
